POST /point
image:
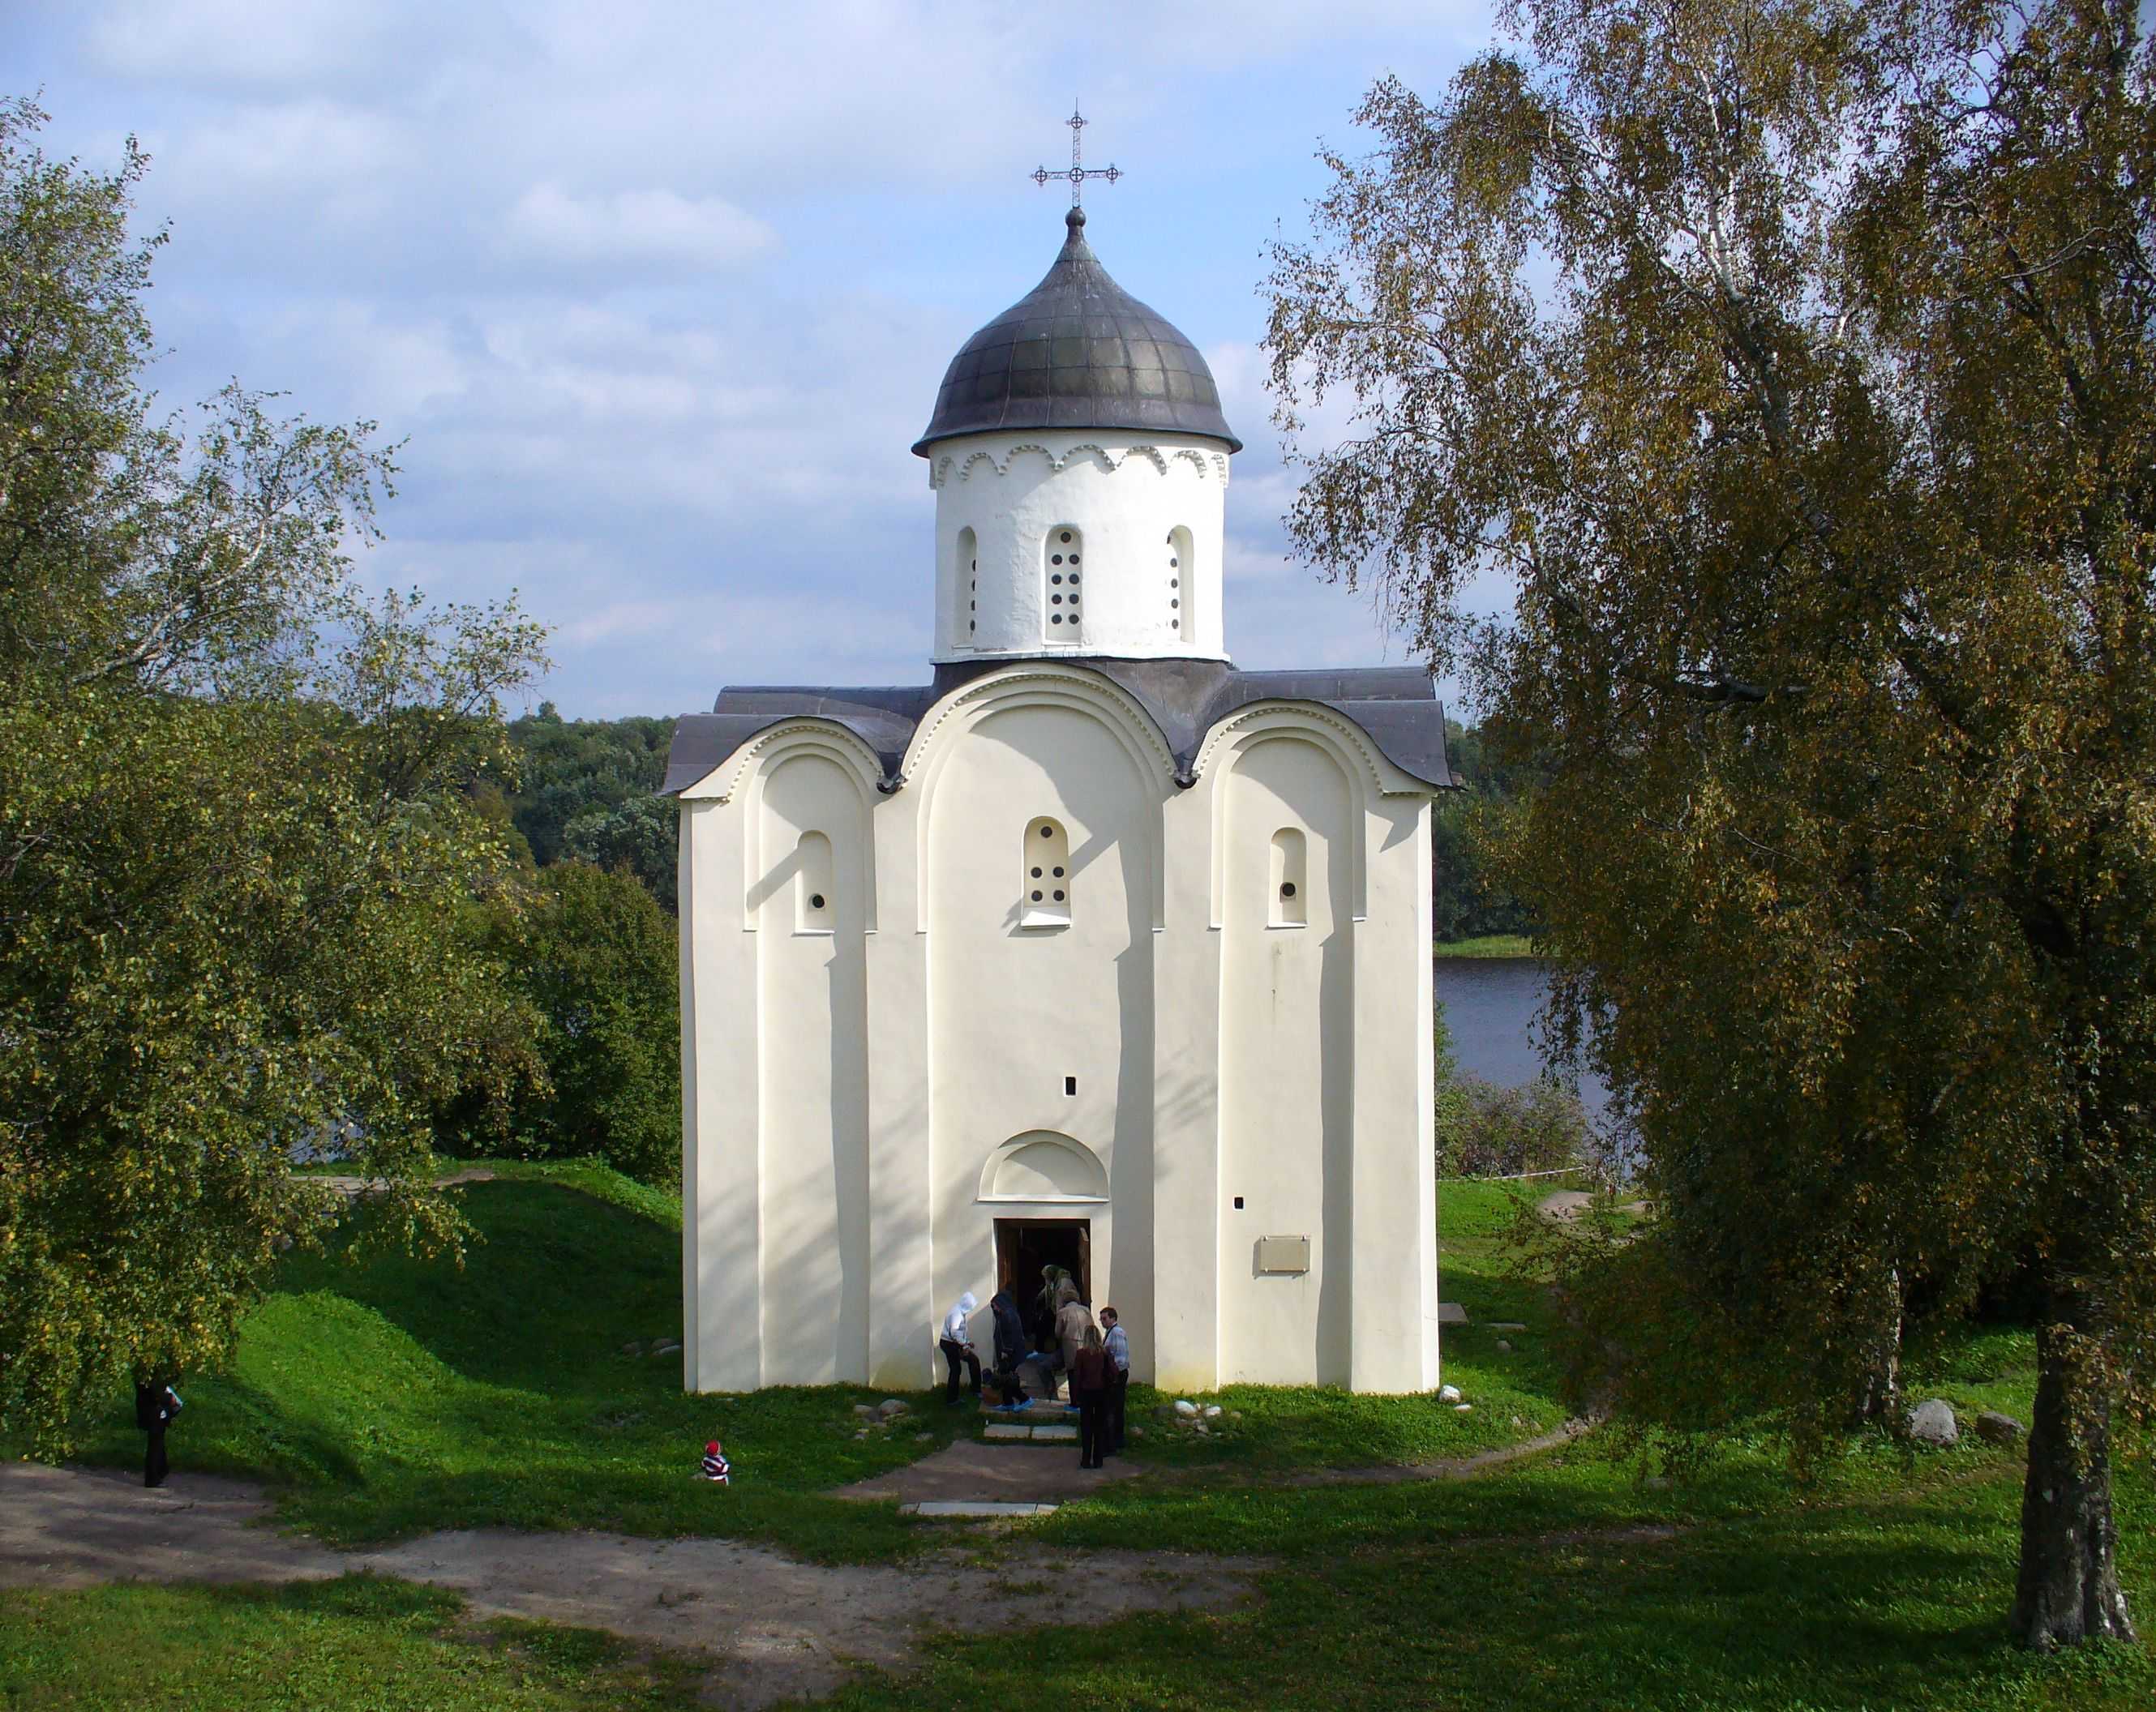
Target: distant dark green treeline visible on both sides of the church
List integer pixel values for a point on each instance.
(590, 792)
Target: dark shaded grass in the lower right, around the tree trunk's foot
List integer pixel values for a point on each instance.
(1838, 1610)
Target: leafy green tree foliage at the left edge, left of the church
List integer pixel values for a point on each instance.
(236, 829)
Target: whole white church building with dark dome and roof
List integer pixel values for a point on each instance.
(1090, 952)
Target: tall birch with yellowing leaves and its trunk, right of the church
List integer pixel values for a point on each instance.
(1795, 361)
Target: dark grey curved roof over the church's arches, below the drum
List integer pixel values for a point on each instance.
(1185, 698)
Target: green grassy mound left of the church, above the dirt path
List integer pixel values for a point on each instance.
(398, 1396)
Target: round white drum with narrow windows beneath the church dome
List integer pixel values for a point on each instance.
(1004, 503)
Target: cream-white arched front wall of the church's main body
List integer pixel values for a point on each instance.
(848, 1092)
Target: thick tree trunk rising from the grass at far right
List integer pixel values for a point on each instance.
(2069, 1588)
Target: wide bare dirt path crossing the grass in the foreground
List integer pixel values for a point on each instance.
(777, 1629)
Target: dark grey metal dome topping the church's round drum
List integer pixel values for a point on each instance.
(1077, 353)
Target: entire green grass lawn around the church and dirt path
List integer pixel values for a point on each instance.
(402, 1396)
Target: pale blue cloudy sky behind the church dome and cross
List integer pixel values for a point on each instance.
(657, 296)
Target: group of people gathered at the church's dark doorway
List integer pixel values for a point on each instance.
(1055, 1347)
